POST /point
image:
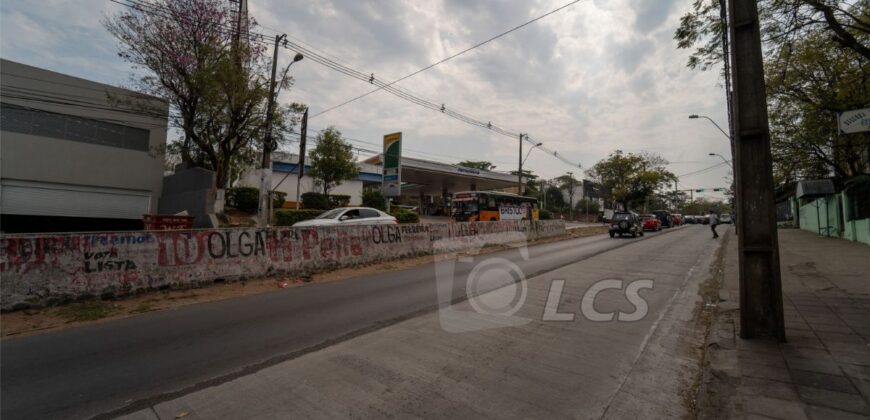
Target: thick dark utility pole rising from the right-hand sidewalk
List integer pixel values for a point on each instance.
(761, 314)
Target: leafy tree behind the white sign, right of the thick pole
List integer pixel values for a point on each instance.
(808, 85)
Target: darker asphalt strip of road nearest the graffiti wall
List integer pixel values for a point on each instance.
(136, 362)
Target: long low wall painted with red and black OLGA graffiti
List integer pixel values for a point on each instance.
(46, 268)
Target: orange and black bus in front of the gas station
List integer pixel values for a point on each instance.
(487, 206)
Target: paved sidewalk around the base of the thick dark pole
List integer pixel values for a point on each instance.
(823, 370)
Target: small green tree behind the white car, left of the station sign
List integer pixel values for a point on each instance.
(332, 160)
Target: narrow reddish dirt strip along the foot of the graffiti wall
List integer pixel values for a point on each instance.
(33, 321)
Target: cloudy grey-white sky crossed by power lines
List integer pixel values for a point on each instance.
(598, 76)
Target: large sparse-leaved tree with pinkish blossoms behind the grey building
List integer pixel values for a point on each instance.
(217, 85)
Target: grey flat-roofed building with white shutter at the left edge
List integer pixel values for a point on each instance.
(76, 155)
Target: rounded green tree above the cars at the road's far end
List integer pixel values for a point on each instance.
(631, 178)
